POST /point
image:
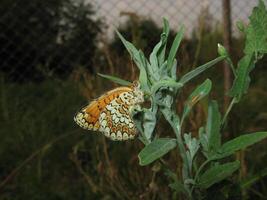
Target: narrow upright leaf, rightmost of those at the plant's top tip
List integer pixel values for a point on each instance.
(174, 47)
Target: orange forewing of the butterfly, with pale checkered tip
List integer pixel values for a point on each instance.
(88, 117)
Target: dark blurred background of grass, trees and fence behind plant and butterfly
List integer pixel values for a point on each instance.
(50, 54)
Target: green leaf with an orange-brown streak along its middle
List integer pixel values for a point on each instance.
(200, 92)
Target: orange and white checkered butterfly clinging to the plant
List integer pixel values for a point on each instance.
(110, 113)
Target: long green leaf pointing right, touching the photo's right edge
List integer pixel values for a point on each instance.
(239, 143)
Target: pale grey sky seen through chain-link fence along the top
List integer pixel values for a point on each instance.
(177, 12)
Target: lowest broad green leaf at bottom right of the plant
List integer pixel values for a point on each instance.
(217, 173)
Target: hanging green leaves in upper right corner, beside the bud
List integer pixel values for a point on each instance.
(255, 47)
